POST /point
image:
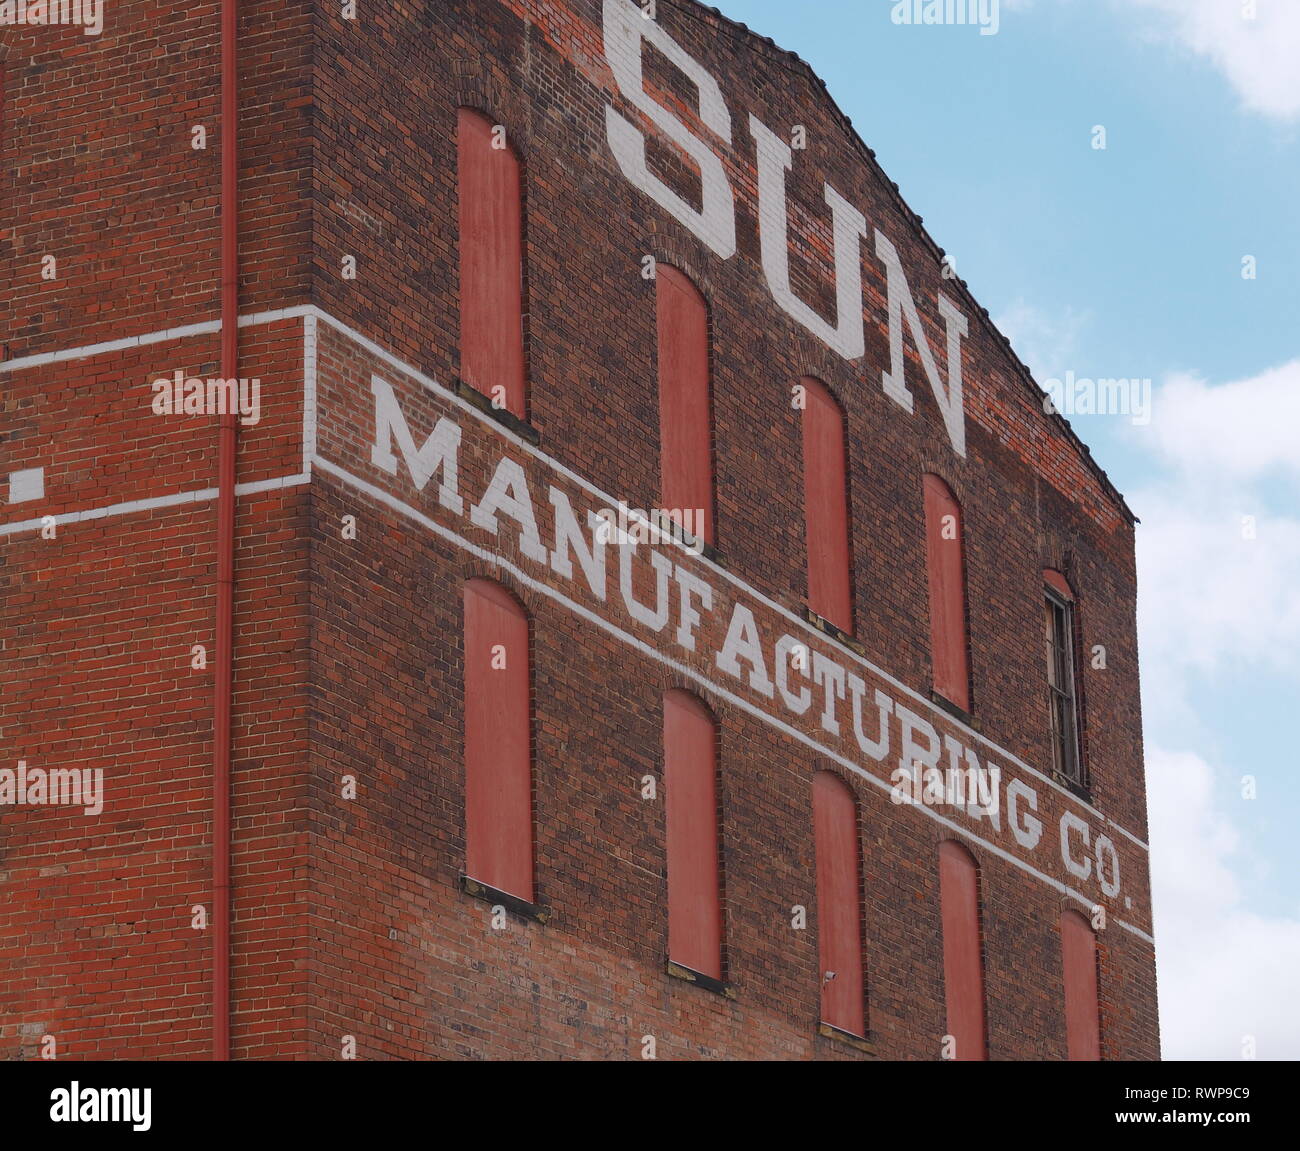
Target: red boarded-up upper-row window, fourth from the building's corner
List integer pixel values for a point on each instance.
(947, 566)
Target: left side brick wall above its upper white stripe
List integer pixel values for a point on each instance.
(101, 174)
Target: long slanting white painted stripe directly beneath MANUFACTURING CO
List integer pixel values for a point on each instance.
(682, 669)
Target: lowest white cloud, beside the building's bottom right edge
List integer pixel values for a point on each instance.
(1225, 973)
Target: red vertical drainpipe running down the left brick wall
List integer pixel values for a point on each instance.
(224, 673)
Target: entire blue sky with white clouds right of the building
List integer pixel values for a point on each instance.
(1128, 263)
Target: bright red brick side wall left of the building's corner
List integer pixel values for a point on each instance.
(98, 622)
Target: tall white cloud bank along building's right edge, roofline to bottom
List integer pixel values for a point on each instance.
(1216, 607)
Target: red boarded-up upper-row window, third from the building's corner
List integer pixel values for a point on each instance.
(826, 507)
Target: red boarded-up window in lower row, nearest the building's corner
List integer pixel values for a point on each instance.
(499, 737)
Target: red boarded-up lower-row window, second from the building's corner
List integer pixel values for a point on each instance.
(691, 771)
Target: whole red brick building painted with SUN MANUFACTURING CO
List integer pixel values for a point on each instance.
(514, 773)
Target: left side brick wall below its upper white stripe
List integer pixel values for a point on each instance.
(97, 635)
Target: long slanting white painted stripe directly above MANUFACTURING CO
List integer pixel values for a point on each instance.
(432, 386)
